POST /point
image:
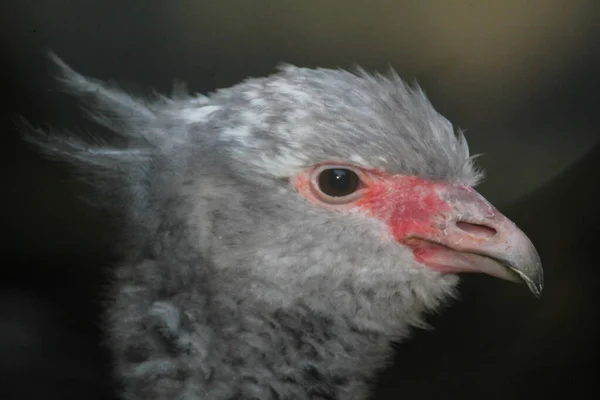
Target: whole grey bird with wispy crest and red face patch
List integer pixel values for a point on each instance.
(278, 235)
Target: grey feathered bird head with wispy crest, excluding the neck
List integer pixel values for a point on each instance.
(343, 190)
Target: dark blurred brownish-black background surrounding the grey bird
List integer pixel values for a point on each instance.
(519, 76)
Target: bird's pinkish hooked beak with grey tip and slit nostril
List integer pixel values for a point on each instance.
(465, 233)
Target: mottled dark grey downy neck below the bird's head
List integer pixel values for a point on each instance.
(183, 334)
